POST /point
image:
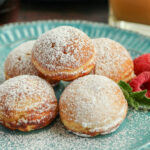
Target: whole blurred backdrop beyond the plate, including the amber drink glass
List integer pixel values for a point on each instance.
(126, 14)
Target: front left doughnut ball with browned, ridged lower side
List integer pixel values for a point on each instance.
(27, 103)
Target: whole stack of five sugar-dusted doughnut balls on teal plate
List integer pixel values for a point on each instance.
(90, 105)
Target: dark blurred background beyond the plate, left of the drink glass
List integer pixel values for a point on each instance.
(31, 10)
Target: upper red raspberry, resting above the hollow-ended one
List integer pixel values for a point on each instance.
(142, 63)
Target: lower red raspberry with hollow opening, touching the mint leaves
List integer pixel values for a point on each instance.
(141, 82)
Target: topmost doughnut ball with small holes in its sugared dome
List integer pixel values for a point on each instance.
(64, 53)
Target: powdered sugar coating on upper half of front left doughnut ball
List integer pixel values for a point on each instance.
(25, 93)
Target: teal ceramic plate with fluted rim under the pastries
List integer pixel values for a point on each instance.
(134, 133)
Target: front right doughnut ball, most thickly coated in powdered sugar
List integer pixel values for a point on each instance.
(92, 105)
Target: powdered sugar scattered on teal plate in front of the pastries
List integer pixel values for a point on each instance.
(55, 137)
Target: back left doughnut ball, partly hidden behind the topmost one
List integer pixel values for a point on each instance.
(19, 62)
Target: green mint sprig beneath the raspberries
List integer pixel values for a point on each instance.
(137, 100)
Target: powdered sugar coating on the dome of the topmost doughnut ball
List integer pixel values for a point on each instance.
(63, 48)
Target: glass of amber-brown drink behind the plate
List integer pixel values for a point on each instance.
(130, 14)
